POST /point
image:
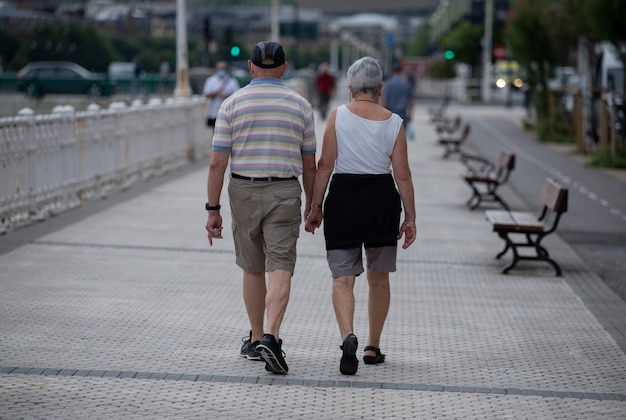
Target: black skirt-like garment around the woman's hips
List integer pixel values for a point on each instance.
(361, 209)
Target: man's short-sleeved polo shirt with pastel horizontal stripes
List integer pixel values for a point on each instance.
(266, 127)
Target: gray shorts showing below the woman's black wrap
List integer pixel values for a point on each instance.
(349, 262)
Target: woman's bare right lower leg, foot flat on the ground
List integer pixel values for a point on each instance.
(378, 307)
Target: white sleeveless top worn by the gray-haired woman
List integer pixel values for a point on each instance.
(364, 146)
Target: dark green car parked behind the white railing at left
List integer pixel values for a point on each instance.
(46, 77)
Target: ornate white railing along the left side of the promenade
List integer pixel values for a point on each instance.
(53, 162)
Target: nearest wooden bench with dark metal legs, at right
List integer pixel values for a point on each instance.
(507, 224)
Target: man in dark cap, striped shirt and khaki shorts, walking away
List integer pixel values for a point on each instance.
(267, 130)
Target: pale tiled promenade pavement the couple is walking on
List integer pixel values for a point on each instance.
(128, 313)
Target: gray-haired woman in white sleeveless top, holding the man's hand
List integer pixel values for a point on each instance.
(362, 143)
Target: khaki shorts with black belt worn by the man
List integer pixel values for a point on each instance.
(266, 223)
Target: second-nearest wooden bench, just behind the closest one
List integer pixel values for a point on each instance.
(484, 178)
